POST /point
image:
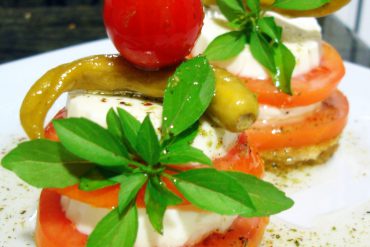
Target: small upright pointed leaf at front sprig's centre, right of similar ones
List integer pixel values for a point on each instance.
(147, 144)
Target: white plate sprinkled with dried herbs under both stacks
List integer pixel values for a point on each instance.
(332, 202)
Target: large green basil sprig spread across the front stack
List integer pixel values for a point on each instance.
(129, 154)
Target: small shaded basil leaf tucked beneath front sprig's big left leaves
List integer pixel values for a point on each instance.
(95, 179)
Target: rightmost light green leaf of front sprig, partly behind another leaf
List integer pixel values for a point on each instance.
(266, 198)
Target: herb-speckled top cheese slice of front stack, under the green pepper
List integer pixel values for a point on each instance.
(214, 142)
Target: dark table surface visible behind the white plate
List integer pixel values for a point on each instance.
(29, 27)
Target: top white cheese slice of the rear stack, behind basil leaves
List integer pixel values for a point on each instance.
(301, 35)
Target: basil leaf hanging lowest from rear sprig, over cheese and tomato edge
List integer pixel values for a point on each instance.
(285, 63)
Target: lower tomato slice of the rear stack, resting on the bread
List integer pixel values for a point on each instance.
(324, 124)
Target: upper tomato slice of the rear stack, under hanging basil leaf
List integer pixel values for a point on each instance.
(309, 88)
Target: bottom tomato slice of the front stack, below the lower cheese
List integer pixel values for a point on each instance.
(53, 229)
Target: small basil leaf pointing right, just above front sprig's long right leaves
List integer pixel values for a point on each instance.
(183, 154)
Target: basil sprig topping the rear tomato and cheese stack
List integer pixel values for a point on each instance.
(263, 35)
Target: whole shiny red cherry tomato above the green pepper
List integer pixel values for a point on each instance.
(153, 33)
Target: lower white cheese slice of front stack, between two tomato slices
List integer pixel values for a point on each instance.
(181, 227)
